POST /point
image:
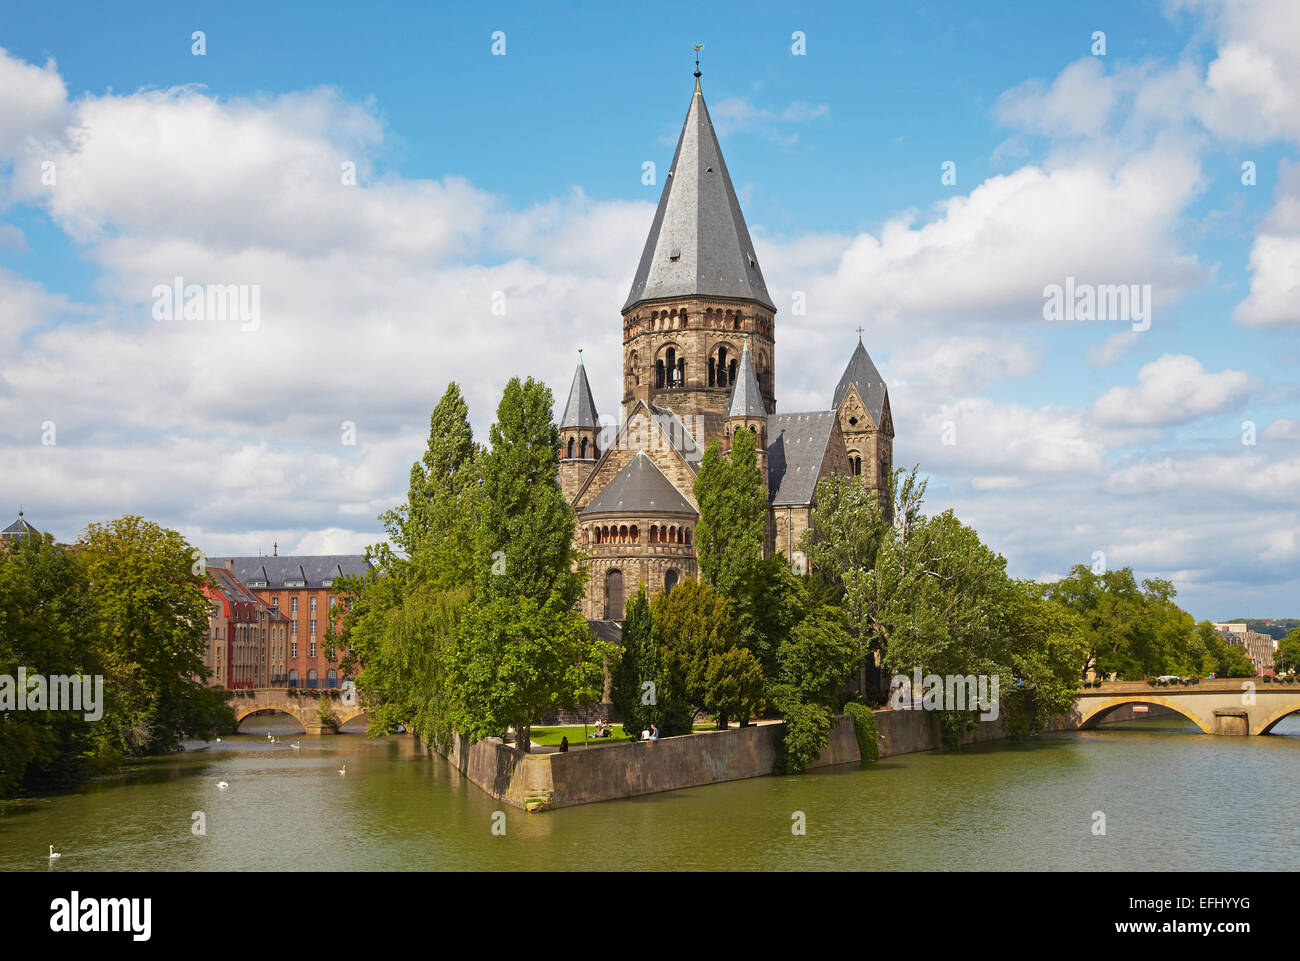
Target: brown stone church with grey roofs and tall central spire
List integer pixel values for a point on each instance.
(700, 365)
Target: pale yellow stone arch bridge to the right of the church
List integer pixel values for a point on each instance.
(1223, 707)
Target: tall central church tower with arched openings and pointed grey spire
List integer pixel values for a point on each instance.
(699, 293)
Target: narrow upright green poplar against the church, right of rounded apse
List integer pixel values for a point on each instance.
(733, 514)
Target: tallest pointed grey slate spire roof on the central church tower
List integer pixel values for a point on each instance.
(699, 244)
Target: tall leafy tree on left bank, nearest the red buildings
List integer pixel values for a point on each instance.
(151, 618)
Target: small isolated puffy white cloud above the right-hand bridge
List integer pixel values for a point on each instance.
(1172, 391)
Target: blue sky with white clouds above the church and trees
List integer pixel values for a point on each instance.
(523, 174)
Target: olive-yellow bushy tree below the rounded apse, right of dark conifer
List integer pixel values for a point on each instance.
(694, 630)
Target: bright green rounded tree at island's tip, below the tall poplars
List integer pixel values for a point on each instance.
(515, 661)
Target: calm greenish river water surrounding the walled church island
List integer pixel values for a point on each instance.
(1173, 799)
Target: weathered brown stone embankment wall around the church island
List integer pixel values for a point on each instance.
(632, 769)
